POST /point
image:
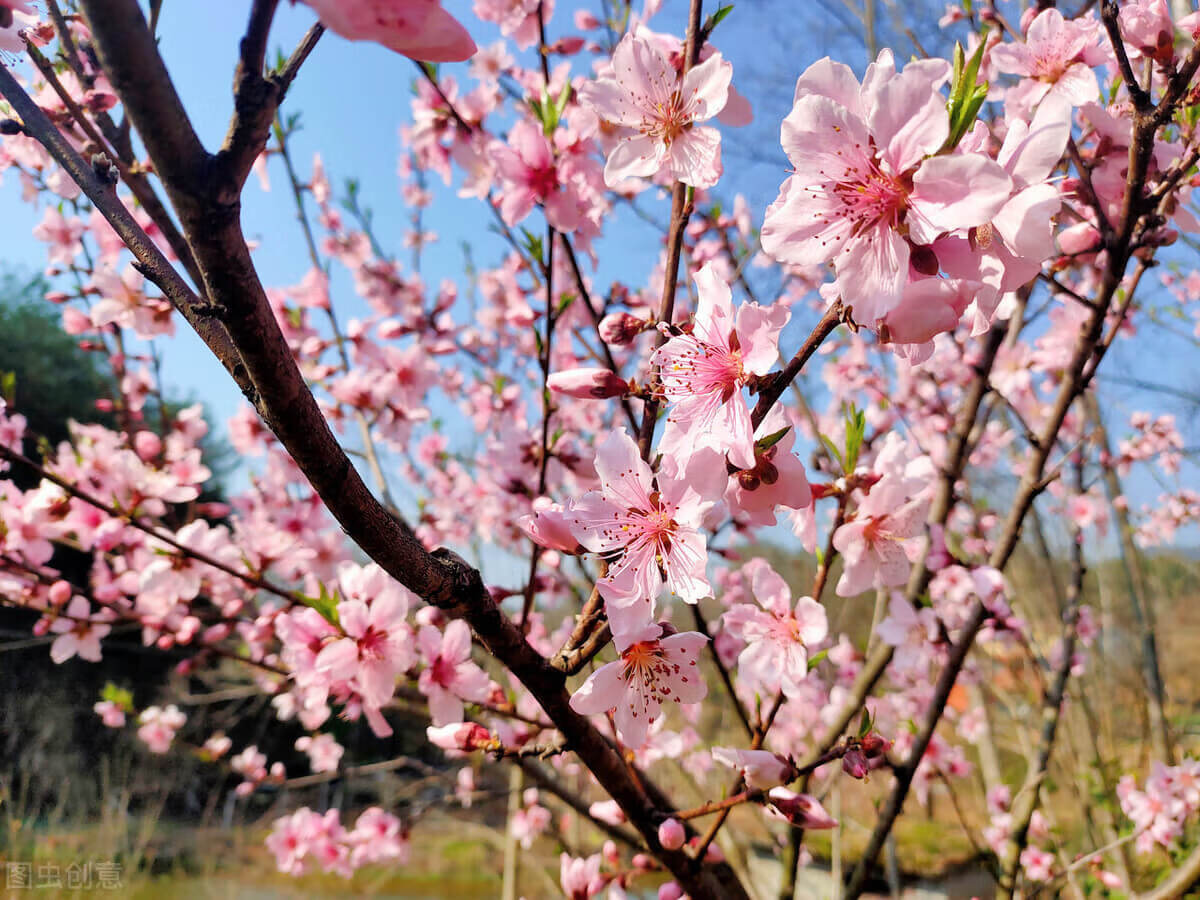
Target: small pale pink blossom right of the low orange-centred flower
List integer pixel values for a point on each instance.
(778, 638)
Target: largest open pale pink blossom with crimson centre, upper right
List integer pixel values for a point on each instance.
(867, 185)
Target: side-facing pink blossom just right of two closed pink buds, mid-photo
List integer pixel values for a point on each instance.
(705, 371)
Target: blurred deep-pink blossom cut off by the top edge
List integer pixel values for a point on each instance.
(419, 29)
